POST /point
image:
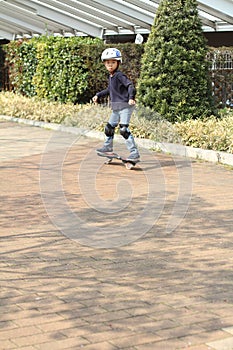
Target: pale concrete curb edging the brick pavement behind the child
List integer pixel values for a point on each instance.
(174, 149)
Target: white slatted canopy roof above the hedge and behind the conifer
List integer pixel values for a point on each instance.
(97, 18)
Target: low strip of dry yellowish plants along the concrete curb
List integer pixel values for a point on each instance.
(211, 133)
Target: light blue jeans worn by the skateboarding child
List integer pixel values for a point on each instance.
(122, 116)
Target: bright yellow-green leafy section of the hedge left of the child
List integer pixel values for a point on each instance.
(61, 73)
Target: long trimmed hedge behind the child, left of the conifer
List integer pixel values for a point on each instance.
(64, 69)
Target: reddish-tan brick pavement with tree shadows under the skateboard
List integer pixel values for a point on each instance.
(75, 276)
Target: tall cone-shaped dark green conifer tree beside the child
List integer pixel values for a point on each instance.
(174, 79)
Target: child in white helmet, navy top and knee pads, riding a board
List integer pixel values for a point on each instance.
(122, 96)
